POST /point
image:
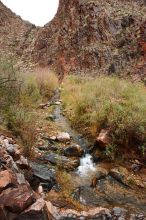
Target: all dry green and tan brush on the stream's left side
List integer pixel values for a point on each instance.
(20, 95)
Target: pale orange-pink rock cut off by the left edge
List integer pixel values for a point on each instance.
(7, 179)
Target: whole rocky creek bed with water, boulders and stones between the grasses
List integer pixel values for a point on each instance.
(63, 182)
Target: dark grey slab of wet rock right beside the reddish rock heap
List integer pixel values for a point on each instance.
(45, 175)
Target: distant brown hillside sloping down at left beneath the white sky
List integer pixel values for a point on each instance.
(15, 34)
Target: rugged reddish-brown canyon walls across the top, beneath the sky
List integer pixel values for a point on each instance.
(86, 36)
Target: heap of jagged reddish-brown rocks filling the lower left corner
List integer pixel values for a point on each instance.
(17, 199)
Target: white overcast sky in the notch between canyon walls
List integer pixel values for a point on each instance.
(38, 12)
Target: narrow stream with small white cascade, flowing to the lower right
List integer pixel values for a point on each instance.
(109, 190)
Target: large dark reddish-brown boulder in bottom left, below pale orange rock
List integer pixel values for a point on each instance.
(17, 199)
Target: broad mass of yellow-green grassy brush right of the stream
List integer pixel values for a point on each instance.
(107, 102)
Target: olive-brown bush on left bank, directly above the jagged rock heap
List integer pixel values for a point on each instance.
(23, 125)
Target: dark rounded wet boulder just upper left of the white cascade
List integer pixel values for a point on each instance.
(73, 151)
